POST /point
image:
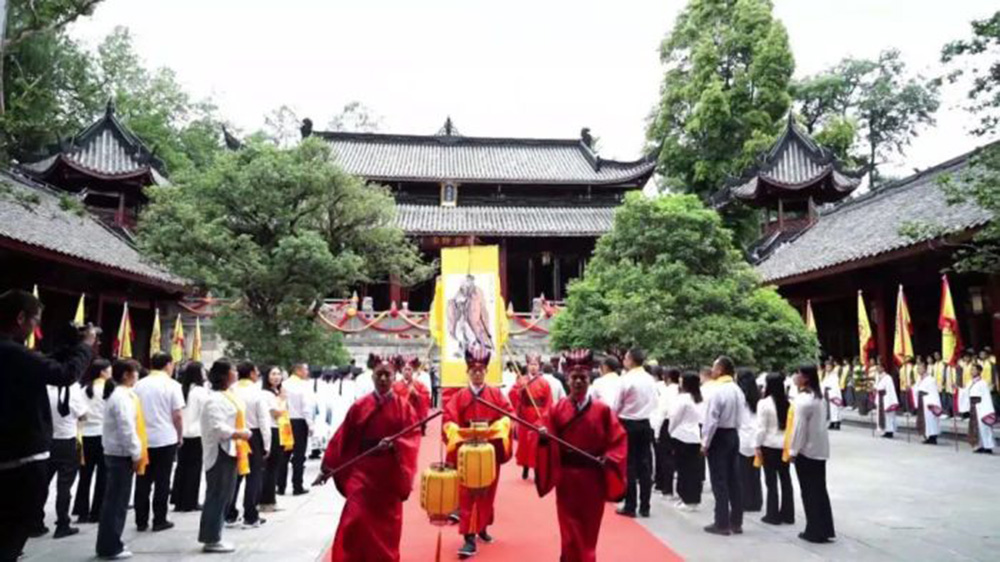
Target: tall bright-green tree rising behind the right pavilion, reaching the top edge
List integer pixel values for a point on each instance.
(724, 94)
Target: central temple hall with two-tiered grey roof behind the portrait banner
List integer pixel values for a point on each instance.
(544, 202)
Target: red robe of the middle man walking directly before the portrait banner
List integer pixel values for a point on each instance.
(463, 409)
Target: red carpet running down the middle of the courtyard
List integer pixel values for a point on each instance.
(525, 528)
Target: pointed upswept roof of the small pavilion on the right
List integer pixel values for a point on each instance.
(795, 165)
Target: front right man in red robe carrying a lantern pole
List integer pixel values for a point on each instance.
(583, 485)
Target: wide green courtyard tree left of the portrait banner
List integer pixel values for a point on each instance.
(277, 230)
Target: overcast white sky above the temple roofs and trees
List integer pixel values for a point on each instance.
(541, 68)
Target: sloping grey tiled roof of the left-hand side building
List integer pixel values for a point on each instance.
(48, 226)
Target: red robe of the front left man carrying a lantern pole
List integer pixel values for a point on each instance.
(375, 487)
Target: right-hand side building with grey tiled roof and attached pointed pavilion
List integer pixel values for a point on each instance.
(827, 253)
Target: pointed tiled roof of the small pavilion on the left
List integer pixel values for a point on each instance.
(106, 149)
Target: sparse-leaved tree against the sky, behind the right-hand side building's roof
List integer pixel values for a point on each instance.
(874, 98)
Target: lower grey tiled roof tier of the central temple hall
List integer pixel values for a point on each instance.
(504, 221)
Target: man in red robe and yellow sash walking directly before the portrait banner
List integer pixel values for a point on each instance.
(476, 506)
